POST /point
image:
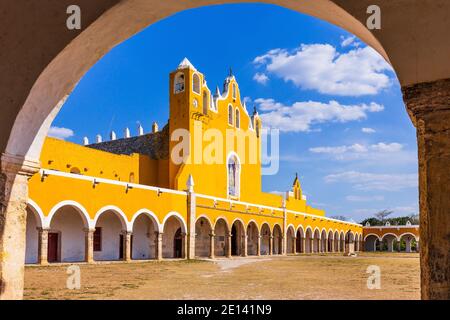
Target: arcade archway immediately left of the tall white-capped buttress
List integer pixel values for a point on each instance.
(174, 238)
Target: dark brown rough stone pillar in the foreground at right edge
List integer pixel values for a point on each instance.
(428, 105)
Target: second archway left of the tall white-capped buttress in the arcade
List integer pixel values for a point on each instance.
(144, 244)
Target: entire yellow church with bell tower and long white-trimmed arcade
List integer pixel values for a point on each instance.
(191, 189)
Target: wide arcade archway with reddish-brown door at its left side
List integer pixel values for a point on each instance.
(66, 236)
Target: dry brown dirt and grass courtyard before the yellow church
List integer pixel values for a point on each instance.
(291, 277)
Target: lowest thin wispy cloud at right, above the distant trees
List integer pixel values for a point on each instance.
(373, 181)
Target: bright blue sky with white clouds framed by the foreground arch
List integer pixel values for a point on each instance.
(344, 126)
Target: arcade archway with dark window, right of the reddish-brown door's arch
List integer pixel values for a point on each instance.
(109, 237)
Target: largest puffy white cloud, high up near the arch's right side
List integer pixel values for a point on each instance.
(320, 67)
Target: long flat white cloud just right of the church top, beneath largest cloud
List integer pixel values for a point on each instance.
(302, 115)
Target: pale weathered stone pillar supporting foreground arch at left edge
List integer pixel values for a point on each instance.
(14, 175)
